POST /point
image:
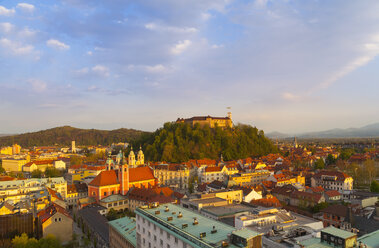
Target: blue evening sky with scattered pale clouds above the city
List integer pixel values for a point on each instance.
(283, 65)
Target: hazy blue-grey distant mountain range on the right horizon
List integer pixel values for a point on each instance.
(363, 132)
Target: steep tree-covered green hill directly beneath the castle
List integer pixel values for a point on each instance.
(179, 142)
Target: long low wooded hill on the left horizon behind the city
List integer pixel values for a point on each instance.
(64, 135)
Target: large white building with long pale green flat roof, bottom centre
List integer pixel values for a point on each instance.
(171, 226)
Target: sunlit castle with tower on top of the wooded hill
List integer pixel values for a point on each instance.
(209, 120)
